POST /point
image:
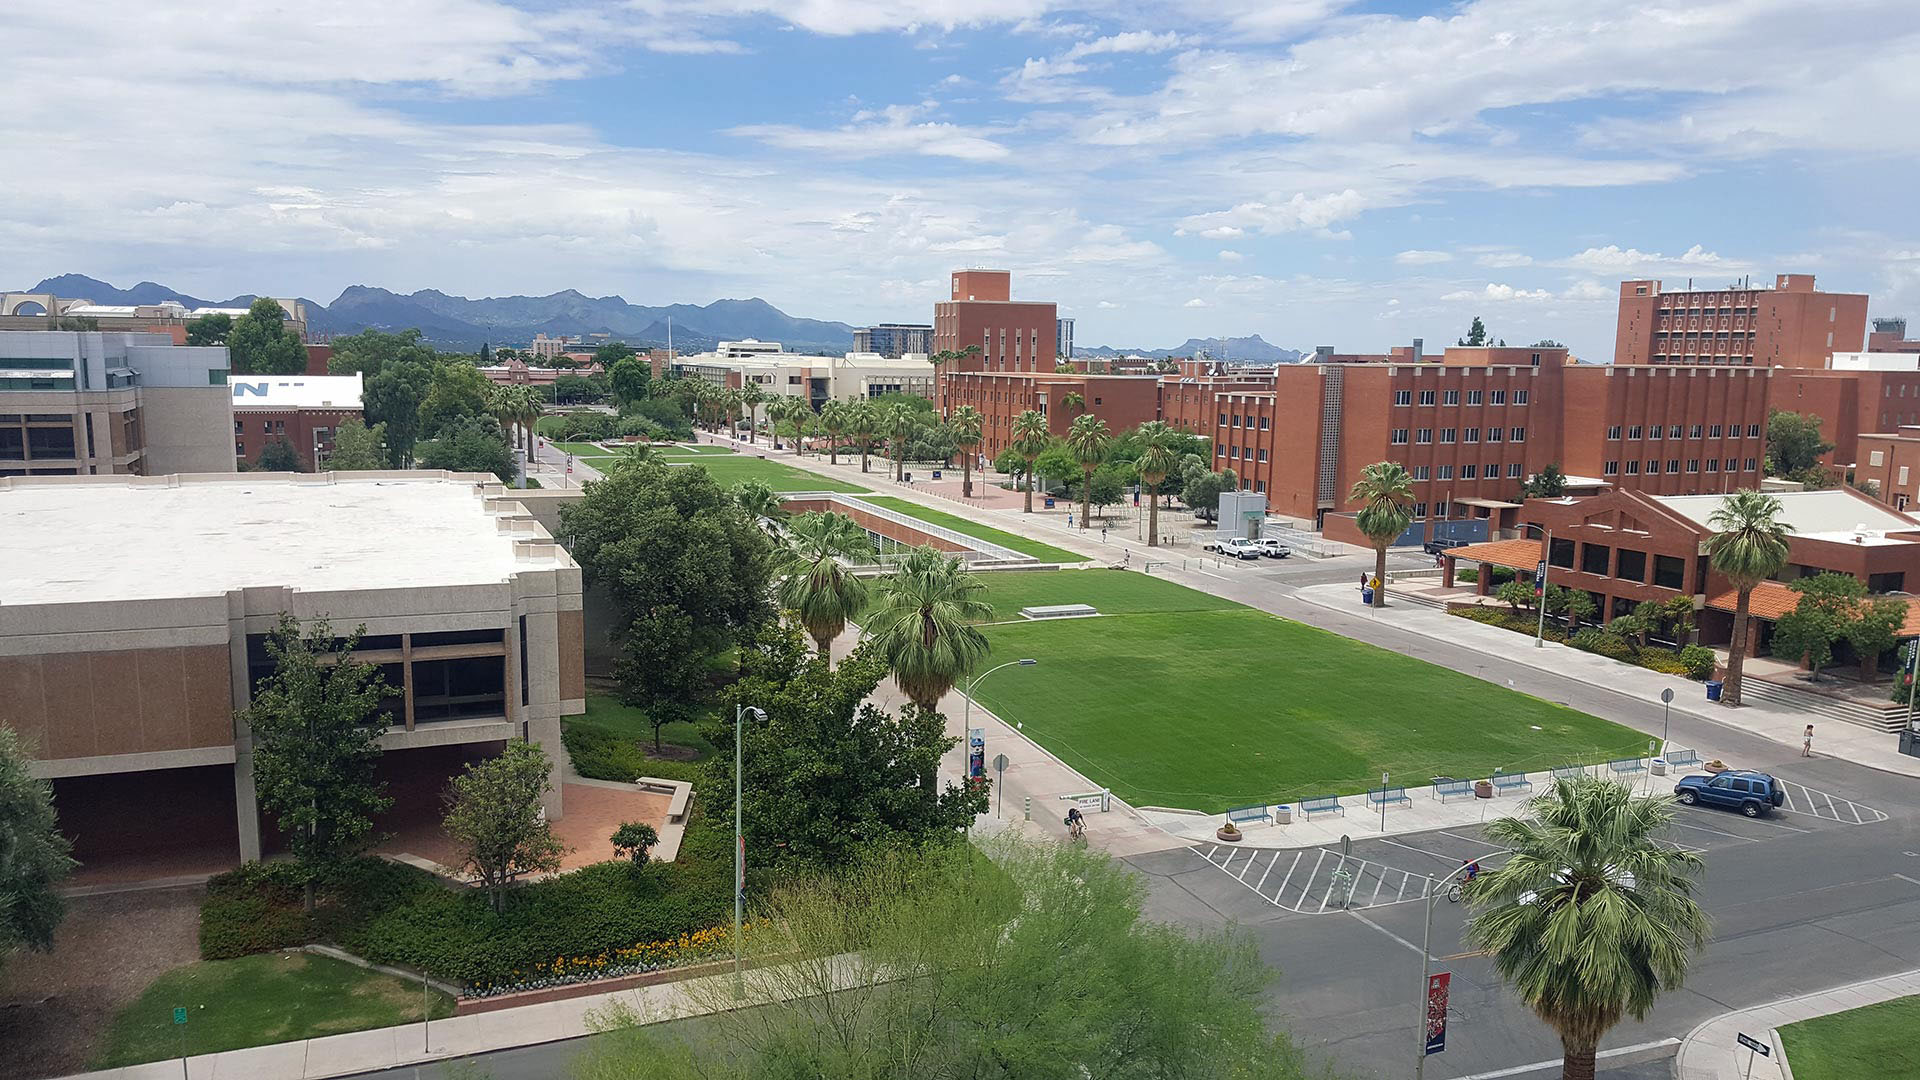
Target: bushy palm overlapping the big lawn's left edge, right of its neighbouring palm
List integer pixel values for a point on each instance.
(924, 620)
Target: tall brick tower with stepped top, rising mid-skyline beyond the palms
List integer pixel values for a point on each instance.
(1011, 335)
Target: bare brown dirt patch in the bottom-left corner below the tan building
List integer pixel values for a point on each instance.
(55, 1008)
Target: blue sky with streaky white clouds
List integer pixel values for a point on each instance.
(1318, 172)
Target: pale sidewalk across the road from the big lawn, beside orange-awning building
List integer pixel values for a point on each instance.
(1833, 739)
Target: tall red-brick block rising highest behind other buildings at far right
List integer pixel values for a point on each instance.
(1787, 326)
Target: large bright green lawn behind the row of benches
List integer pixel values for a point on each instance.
(1182, 699)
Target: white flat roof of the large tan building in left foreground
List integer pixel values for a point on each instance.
(74, 543)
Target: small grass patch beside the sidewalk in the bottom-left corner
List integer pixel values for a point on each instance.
(260, 1000)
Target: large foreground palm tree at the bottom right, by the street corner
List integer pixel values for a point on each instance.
(1593, 918)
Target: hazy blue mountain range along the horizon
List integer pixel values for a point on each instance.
(460, 322)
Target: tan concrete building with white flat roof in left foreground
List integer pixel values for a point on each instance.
(135, 610)
